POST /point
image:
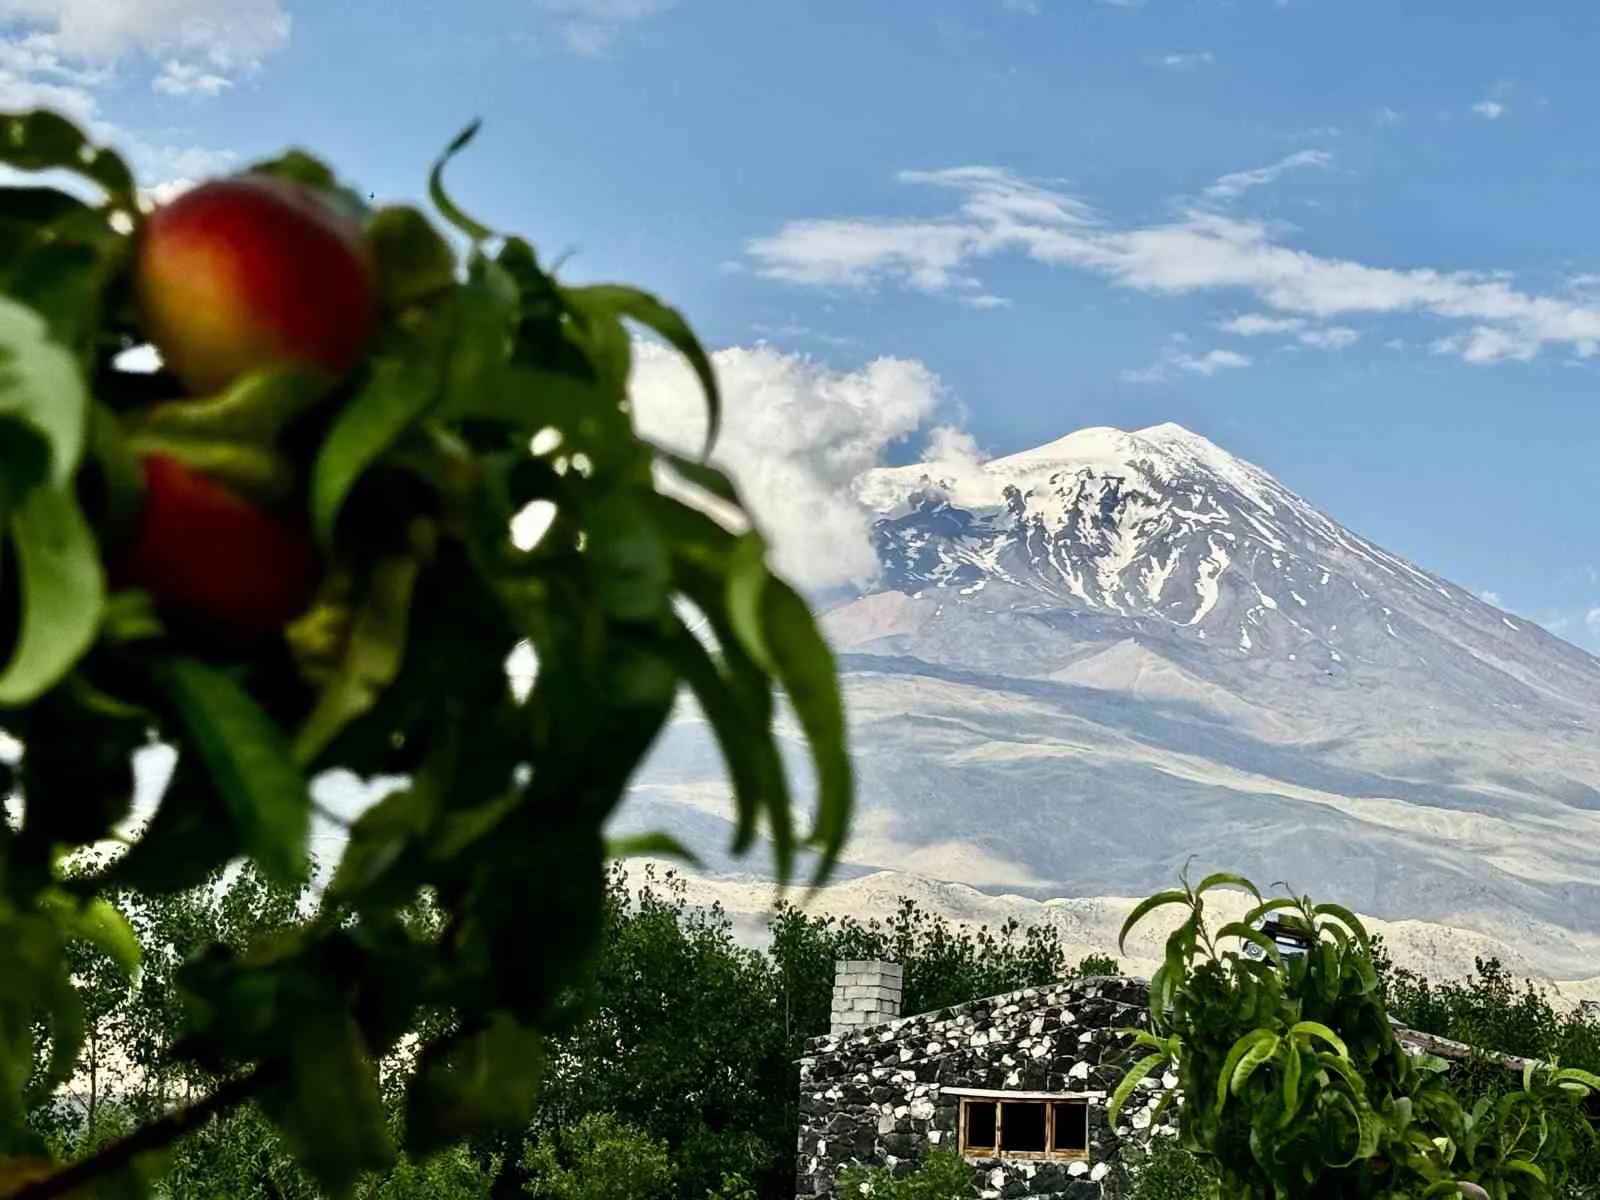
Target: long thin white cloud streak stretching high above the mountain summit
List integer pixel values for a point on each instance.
(1196, 252)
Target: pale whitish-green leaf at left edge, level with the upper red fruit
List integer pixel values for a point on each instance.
(41, 388)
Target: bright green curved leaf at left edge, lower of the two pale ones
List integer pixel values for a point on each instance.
(63, 593)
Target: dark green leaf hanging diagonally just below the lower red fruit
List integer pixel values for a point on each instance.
(249, 761)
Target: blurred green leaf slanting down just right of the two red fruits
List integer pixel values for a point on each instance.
(399, 393)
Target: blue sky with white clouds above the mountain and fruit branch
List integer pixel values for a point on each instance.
(1350, 241)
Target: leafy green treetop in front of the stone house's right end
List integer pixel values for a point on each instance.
(1295, 1084)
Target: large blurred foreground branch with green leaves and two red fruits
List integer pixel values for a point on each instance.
(290, 551)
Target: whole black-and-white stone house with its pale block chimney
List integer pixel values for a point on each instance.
(1017, 1082)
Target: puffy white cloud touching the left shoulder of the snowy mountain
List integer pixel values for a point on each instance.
(796, 436)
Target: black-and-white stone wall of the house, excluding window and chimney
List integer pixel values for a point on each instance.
(886, 1095)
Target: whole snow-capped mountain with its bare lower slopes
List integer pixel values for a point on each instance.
(1090, 662)
